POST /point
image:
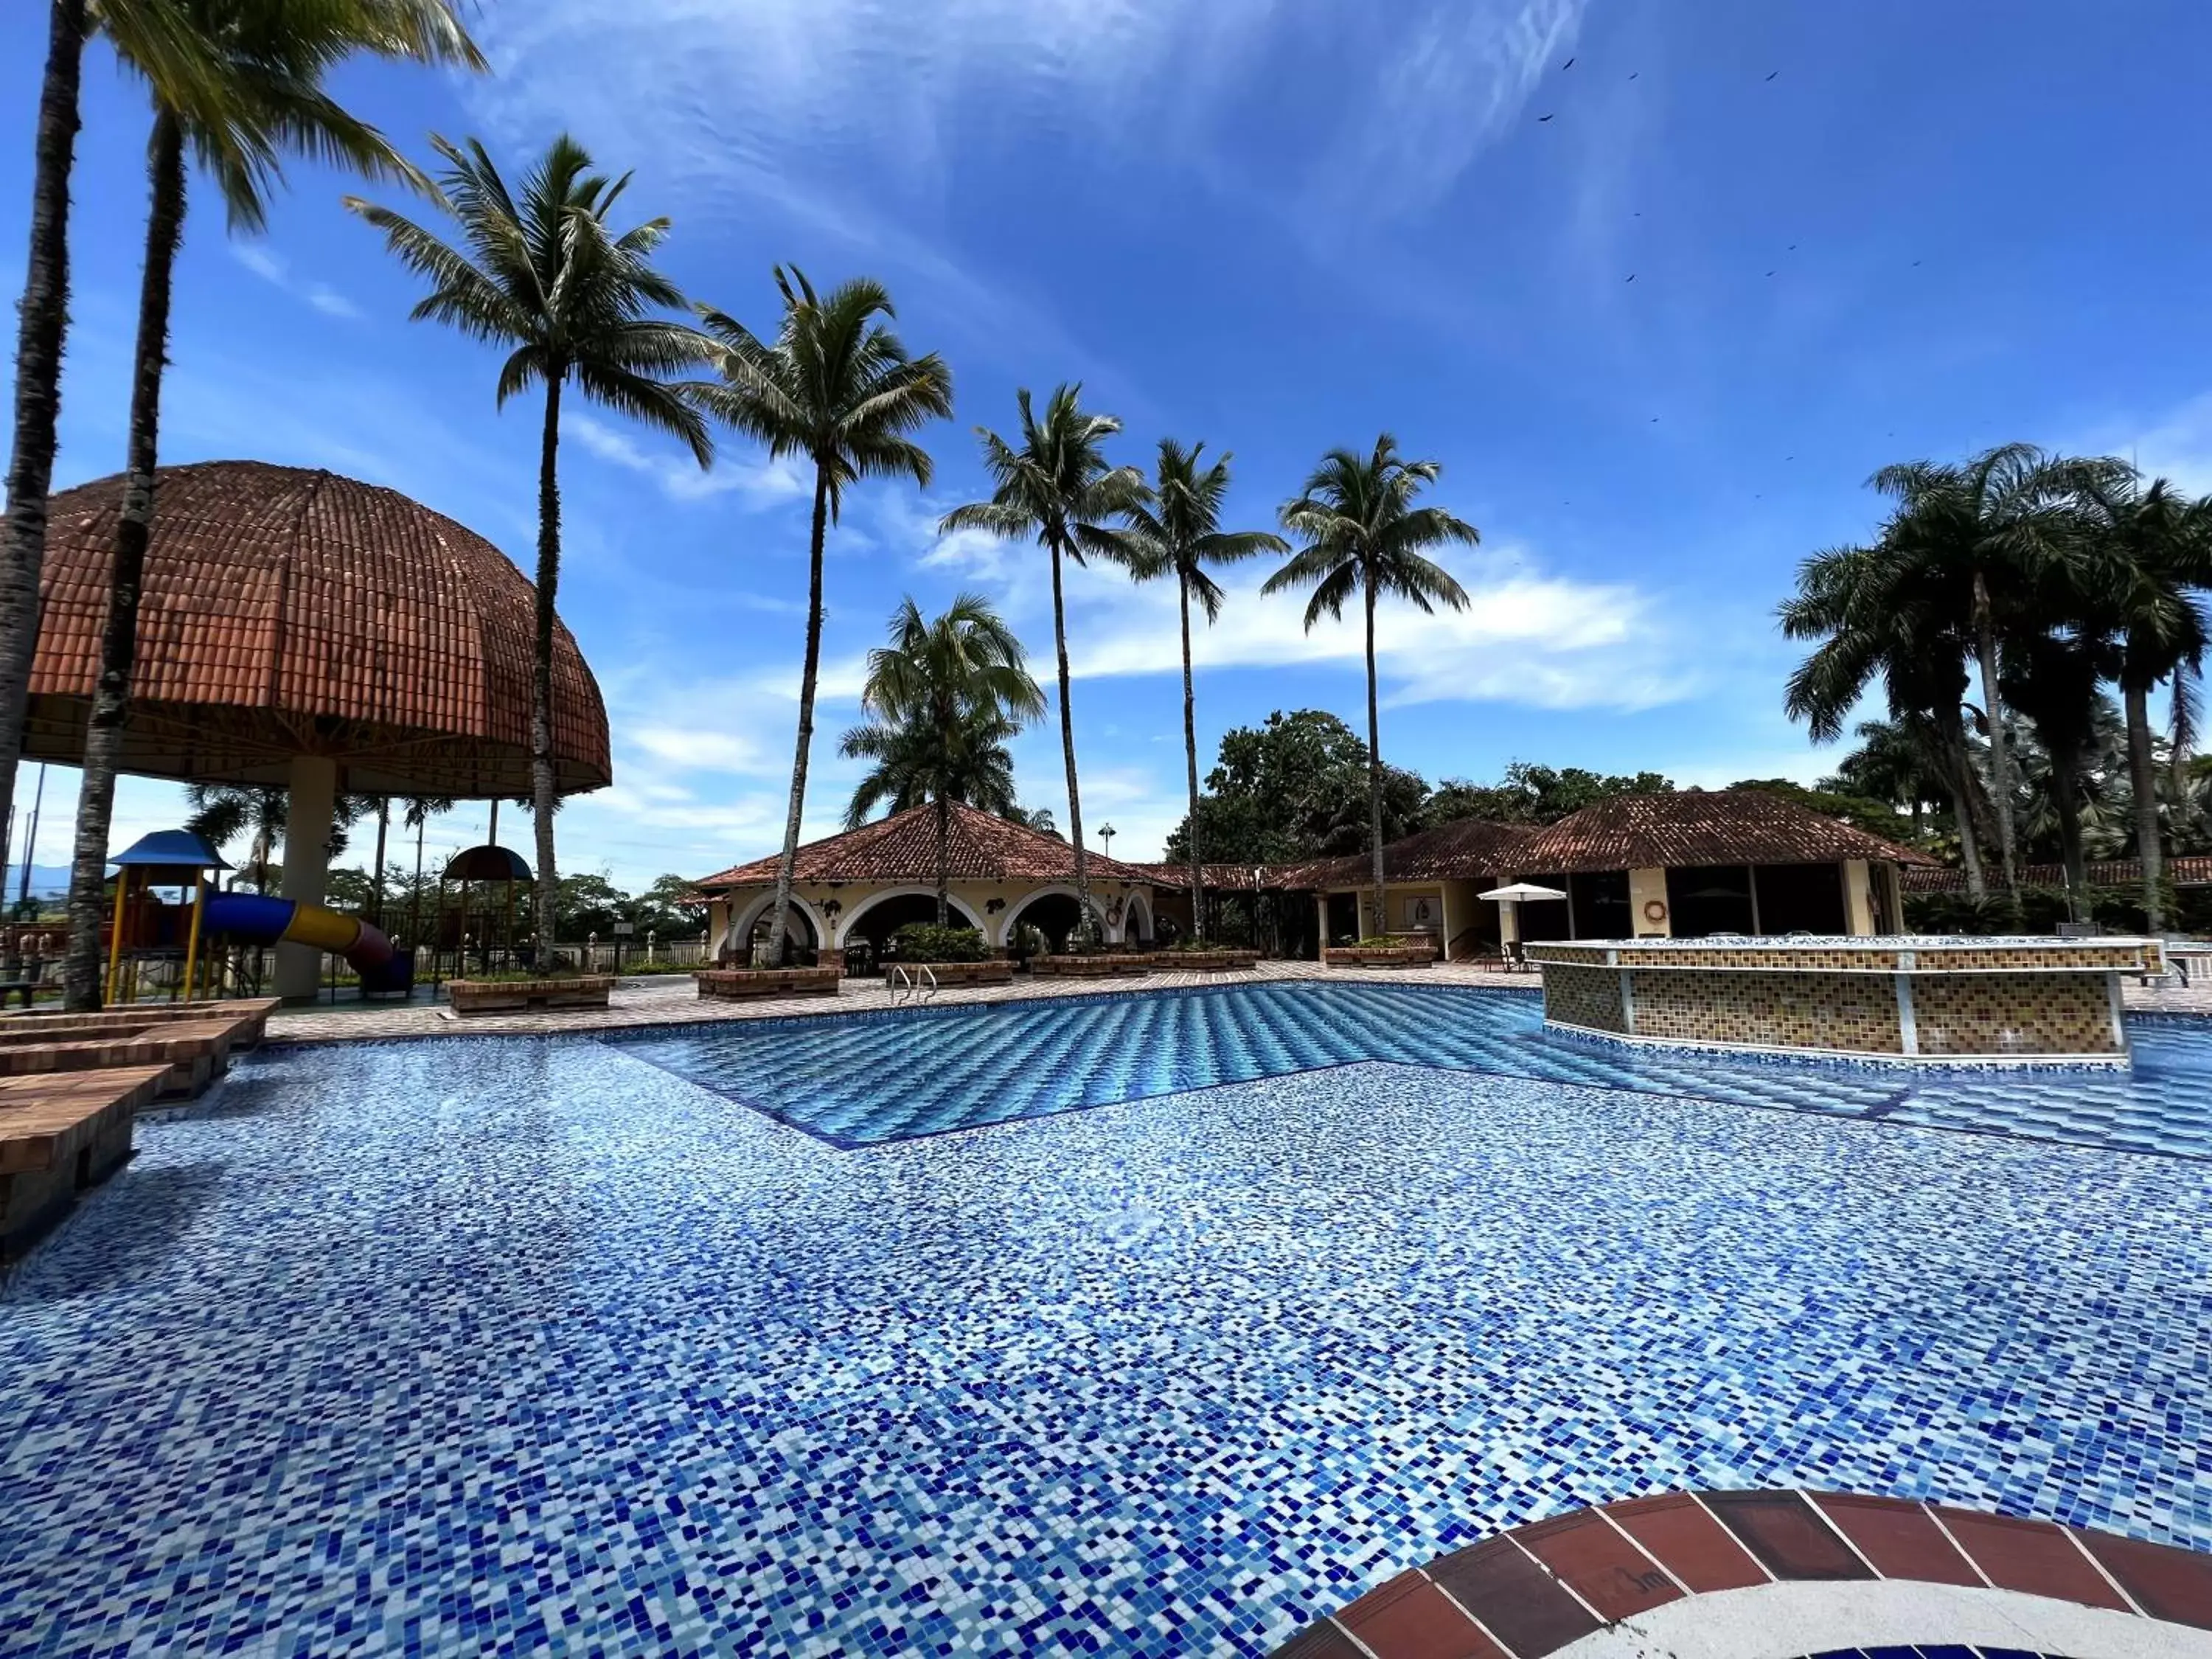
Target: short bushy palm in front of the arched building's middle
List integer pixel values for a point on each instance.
(943, 700)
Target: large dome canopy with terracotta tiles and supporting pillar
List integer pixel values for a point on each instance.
(311, 632)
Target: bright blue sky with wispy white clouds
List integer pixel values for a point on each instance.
(1855, 236)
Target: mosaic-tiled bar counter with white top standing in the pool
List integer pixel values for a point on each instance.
(1943, 1001)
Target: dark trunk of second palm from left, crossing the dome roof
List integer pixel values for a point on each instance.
(134, 528)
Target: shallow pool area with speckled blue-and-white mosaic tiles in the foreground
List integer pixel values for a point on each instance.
(532, 1346)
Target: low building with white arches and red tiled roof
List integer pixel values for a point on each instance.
(870, 881)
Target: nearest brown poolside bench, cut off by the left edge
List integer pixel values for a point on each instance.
(61, 1136)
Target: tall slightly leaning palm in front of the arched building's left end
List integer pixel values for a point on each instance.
(837, 388)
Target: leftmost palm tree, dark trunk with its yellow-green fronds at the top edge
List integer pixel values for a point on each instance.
(160, 43)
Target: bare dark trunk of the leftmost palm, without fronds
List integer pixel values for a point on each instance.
(39, 379)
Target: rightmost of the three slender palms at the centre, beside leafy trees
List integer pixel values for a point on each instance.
(1364, 536)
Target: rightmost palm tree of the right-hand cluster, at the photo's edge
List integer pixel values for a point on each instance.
(2149, 547)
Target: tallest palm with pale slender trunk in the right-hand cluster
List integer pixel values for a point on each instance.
(1994, 528)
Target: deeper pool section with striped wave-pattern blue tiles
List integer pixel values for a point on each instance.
(895, 1076)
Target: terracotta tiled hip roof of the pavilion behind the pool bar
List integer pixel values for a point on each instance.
(1700, 828)
